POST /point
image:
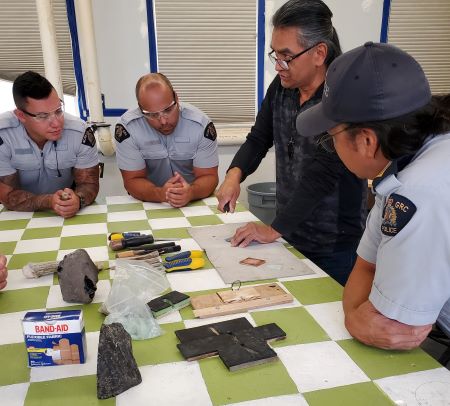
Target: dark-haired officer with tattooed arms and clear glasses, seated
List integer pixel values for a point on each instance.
(44, 152)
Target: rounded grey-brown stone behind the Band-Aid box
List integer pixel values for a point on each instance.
(78, 277)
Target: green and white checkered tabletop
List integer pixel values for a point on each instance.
(319, 363)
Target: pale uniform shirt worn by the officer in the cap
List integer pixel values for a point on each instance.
(408, 238)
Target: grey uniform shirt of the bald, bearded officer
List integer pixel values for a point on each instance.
(188, 146)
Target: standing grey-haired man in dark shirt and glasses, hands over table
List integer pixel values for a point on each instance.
(320, 205)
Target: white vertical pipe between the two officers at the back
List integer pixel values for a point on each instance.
(86, 34)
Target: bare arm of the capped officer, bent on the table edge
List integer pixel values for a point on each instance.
(365, 323)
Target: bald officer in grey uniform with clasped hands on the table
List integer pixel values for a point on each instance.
(166, 150)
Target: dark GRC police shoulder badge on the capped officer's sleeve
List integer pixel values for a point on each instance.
(398, 210)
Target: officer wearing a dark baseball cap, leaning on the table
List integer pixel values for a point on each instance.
(385, 125)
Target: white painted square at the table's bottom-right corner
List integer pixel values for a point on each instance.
(424, 388)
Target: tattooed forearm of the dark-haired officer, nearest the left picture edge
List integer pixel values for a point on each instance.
(14, 198)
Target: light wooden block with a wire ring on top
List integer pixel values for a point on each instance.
(238, 301)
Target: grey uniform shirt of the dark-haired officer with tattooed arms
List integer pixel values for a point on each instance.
(39, 170)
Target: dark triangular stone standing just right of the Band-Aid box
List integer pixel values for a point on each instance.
(117, 370)
